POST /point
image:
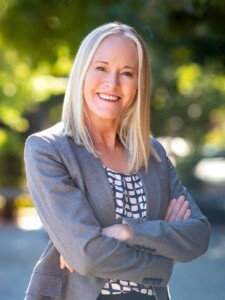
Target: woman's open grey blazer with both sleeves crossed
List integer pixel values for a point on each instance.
(74, 200)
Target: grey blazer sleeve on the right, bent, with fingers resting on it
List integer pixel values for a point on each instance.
(180, 240)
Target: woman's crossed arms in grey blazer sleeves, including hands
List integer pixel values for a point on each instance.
(62, 205)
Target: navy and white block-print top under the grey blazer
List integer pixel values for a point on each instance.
(130, 201)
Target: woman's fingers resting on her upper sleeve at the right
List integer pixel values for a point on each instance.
(178, 209)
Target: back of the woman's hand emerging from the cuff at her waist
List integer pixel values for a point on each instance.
(121, 232)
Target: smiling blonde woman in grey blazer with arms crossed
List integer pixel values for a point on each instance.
(117, 215)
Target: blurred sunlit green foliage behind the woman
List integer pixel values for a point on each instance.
(38, 42)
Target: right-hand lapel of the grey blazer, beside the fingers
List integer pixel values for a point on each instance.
(151, 184)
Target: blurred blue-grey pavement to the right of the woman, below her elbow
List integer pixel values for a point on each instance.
(203, 278)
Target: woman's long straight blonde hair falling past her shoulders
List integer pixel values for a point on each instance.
(134, 126)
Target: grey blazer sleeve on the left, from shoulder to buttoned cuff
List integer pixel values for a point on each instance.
(73, 228)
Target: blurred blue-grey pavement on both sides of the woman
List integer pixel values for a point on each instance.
(202, 279)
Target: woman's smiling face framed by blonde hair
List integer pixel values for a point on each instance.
(111, 81)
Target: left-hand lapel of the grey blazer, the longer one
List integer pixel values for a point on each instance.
(96, 182)
